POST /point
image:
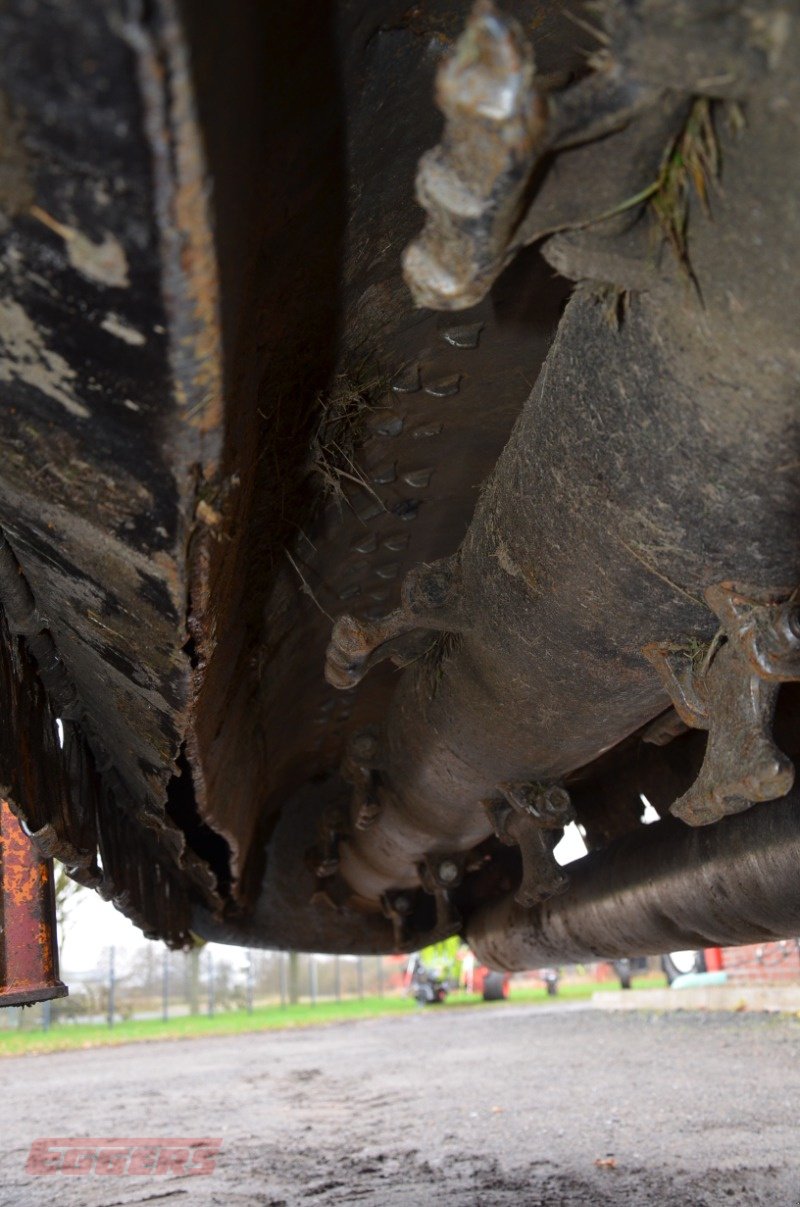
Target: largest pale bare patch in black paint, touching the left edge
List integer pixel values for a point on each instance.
(26, 358)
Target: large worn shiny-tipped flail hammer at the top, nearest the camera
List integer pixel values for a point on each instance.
(501, 121)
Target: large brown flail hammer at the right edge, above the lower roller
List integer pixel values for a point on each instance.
(731, 690)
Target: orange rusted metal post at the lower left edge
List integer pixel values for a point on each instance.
(28, 952)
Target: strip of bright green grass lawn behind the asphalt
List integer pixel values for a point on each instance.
(66, 1036)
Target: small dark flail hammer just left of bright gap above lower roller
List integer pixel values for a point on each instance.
(523, 820)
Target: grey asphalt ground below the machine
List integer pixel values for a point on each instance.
(505, 1105)
